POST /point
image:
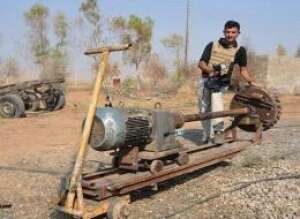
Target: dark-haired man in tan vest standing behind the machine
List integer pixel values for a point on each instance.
(216, 63)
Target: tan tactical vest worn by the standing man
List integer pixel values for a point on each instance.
(221, 55)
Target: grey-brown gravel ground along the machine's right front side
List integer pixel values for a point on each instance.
(211, 193)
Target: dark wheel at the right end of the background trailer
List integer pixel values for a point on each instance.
(55, 100)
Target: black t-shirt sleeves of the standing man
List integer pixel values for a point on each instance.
(240, 56)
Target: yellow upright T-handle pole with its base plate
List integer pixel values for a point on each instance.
(74, 202)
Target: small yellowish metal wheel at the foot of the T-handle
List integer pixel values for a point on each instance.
(118, 209)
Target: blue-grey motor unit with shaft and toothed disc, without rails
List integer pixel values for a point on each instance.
(145, 139)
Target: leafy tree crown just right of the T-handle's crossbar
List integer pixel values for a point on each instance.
(138, 32)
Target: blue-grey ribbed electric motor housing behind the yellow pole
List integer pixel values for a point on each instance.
(115, 127)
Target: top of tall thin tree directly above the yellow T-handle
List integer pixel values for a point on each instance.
(91, 13)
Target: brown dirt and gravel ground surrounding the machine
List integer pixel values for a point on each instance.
(37, 151)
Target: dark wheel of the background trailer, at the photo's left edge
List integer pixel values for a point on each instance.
(11, 106)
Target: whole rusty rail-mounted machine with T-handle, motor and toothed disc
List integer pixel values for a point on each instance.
(145, 150)
